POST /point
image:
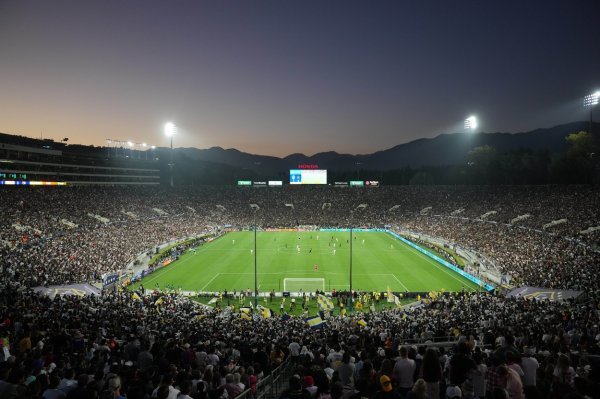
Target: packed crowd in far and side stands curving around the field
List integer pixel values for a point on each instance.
(76, 234)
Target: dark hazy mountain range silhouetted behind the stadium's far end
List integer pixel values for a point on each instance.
(443, 150)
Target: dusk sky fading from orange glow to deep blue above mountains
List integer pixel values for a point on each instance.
(279, 77)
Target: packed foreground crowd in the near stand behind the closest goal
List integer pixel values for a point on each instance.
(163, 345)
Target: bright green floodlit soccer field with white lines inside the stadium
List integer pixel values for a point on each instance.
(291, 261)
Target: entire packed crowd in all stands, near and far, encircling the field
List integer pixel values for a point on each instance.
(166, 346)
